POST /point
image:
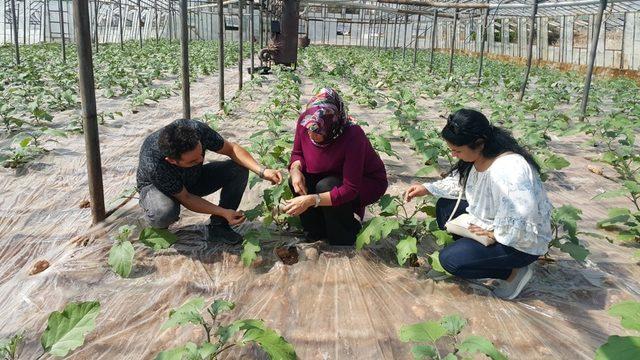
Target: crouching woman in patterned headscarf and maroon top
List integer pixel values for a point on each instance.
(335, 172)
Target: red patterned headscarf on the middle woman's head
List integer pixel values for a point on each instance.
(326, 115)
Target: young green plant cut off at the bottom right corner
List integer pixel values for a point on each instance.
(623, 347)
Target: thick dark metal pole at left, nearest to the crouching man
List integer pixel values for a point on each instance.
(89, 113)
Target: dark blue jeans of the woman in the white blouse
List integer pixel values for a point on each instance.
(469, 259)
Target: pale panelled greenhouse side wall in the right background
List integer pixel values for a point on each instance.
(562, 39)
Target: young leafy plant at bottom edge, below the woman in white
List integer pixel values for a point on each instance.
(431, 335)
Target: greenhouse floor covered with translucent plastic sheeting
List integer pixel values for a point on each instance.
(332, 304)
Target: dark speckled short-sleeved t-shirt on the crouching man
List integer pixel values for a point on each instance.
(154, 170)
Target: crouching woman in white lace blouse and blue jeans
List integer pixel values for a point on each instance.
(504, 196)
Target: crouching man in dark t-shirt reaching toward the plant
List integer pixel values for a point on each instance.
(171, 172)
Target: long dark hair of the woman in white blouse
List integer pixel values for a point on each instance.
(471, 128)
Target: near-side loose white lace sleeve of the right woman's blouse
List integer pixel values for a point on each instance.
(523, 214)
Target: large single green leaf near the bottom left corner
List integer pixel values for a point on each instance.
(66, 330)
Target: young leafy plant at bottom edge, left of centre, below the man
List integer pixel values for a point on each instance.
(220, 337)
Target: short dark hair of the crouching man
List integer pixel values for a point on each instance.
(177, 138)
